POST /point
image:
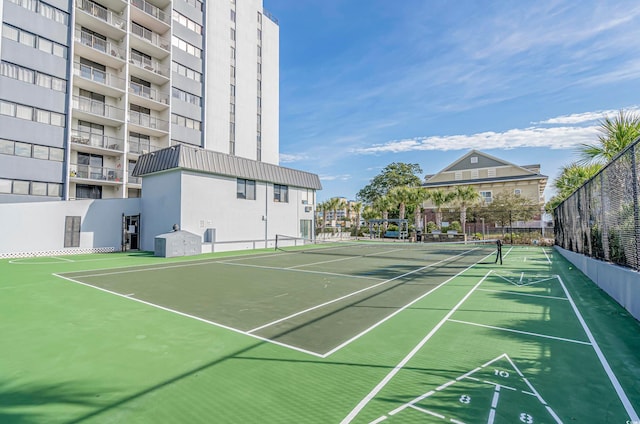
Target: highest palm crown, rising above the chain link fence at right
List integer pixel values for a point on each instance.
(615, 135)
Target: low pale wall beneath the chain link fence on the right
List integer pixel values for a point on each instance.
(622, 284)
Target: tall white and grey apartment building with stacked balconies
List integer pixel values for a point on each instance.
(87, 86)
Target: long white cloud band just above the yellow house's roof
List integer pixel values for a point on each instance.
(553, 138)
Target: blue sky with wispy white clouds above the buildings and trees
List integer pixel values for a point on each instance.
(364, 83)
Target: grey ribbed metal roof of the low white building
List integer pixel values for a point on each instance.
(210, 162)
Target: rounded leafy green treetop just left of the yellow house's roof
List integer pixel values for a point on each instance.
(393, 175)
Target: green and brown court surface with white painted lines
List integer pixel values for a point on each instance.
(314, 337)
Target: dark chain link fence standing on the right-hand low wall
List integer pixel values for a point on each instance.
(601, 219)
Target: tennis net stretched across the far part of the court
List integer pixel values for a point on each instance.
(383, 249)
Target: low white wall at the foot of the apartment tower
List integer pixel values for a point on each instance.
(39, 227)
